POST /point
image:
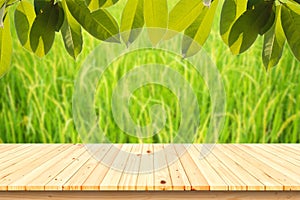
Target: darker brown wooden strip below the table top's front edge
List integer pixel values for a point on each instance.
(191, 195)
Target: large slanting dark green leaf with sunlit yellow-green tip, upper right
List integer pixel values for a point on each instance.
(247, 27)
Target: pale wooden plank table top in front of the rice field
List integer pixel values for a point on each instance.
(228, 167)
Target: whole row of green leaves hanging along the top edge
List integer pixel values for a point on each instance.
(241, 22)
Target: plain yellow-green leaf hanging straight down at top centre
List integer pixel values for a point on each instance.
(156, 16)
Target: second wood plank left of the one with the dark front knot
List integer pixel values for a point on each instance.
(129, 177)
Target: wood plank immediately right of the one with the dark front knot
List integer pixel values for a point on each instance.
(179, 179)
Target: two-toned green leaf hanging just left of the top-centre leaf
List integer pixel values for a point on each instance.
(132, 18)
